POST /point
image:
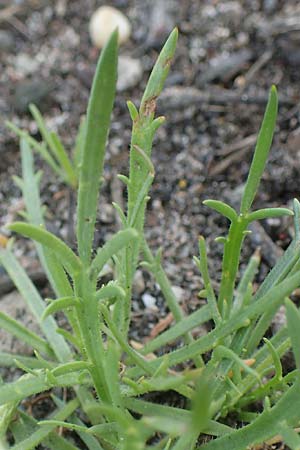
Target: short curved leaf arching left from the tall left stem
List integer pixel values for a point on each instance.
(68, 258)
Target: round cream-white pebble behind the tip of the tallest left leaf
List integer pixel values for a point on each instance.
(104, 21)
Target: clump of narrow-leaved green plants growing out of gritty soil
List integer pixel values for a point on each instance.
(107, 378)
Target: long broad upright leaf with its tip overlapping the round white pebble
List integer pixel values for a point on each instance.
(97, 126)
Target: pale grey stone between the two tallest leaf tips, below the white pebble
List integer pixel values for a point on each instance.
(130, 72)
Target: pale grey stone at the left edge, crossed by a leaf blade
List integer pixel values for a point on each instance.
(15, 306)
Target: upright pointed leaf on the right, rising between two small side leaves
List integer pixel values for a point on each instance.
(261, 152)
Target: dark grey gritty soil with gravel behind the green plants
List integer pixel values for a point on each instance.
(228, 55)
